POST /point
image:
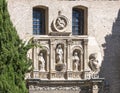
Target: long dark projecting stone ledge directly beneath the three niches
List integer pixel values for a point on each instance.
(64, 82)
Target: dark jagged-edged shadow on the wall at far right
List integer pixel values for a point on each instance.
(111, 62)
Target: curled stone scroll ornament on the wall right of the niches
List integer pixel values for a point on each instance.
(94, 63)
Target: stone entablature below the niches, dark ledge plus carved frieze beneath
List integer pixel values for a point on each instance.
(63, 86)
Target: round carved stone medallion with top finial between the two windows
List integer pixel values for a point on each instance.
(60, 23)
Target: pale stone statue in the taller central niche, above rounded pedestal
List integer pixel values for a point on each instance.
(59, 52)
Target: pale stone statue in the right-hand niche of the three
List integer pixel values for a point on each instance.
(75, 61)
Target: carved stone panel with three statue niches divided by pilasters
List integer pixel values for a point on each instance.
(57, 57)
